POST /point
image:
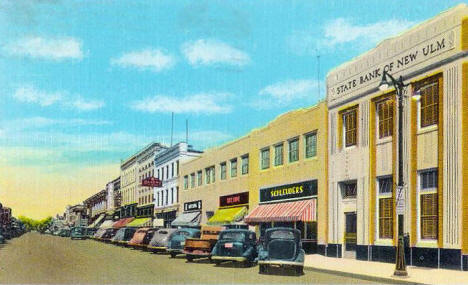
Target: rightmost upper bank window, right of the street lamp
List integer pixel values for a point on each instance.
(429, 104)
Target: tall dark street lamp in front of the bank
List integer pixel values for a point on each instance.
(400, 266)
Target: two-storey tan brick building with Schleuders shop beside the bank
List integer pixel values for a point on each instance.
(283, 162)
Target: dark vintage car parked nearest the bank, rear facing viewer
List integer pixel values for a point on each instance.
(281, 247)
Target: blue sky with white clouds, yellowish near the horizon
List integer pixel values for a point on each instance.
(85, 84)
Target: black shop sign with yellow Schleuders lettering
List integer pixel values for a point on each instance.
(289, 191)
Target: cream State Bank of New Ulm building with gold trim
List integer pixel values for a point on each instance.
(432, 58)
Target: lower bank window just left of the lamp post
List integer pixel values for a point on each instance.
(385, 208)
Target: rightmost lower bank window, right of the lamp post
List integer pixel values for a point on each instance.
(429, 204)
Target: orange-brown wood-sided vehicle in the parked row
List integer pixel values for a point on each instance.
(202, 247)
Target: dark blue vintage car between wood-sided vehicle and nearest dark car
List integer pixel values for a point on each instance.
(238, 245)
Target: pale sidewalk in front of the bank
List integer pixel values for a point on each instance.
(383, 272)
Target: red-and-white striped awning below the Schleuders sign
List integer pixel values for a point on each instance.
(305, 211)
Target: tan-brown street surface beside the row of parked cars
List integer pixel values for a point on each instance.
(36, 258)
